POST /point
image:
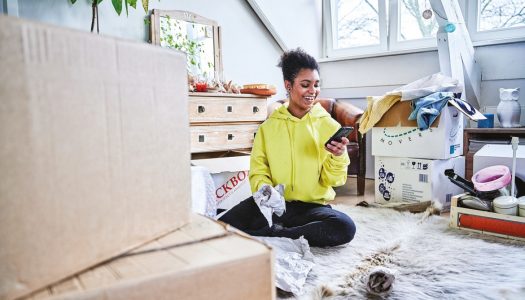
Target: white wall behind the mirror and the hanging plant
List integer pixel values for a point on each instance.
(250, 55)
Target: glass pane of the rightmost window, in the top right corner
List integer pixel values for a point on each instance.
(497, 14)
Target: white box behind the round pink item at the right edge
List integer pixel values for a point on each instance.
(491, 155)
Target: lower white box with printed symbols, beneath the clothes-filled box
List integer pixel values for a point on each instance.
(416, 180)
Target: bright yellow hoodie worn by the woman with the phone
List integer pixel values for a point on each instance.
(290, 151)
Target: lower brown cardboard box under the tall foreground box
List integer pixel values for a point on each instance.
(202, 260)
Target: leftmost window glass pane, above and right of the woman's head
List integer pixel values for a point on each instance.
(357, 23)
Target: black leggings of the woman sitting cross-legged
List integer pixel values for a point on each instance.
(319, 224)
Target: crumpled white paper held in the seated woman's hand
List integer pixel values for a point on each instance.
(270, 200)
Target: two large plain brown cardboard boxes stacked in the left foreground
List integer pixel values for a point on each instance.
(95, 162)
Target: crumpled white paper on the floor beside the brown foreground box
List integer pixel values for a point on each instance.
(293, 262)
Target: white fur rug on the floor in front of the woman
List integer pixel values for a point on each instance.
(433, 261)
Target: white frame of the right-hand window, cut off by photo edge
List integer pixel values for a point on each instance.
(494, 36)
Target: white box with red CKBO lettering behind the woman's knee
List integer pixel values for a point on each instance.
(230, 175)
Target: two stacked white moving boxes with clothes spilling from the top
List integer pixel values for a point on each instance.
(410, 163)
